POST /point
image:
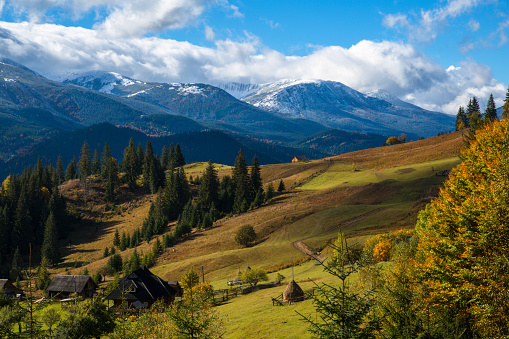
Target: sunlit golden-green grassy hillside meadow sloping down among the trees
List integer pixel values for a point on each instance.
(387, 189)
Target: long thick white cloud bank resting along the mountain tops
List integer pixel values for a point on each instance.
(54, 50)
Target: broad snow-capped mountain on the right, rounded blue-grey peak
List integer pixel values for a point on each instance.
(336, 105)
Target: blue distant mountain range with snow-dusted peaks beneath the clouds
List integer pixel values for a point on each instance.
(277, 120)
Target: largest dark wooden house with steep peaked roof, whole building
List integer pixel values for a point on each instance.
(140, 289)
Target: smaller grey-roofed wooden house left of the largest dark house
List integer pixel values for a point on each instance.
(62, 286)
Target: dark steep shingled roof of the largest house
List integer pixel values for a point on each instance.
(141, 284)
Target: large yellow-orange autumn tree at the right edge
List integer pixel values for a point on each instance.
(463, 253)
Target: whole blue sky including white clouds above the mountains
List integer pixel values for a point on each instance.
(436, 54)
